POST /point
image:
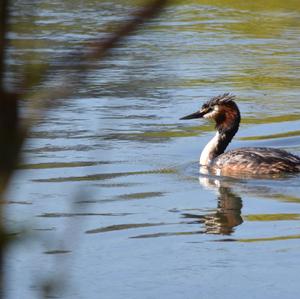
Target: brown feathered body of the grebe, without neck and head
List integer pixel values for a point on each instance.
(256, 161)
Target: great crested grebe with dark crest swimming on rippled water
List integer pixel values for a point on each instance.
(248, 160)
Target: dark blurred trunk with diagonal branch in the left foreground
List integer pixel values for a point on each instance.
(13, 132)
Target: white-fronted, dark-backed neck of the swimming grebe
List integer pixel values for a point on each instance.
(218, 144)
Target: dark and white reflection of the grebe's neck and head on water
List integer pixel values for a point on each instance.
(228, 213)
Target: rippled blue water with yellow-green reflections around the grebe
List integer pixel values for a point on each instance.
(109, 191)
